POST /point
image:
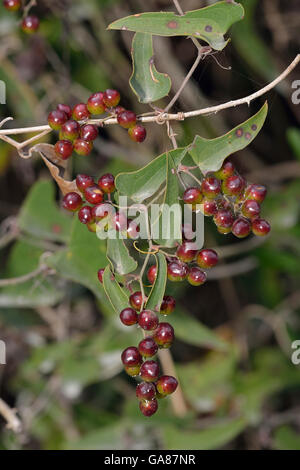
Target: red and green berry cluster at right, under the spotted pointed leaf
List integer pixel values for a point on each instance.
(234, 204)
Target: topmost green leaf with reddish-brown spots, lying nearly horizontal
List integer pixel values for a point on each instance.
(209, 24)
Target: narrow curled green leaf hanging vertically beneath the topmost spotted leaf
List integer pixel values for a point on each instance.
(147, 83)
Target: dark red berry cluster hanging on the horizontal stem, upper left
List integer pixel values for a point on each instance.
(78, 135)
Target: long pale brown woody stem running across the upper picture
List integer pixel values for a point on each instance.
(162, 117)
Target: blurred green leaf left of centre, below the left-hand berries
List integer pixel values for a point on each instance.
(82, 258)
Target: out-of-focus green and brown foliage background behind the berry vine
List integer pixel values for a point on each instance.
(234, 334)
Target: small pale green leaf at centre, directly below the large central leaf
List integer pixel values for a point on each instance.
(118, 254)
